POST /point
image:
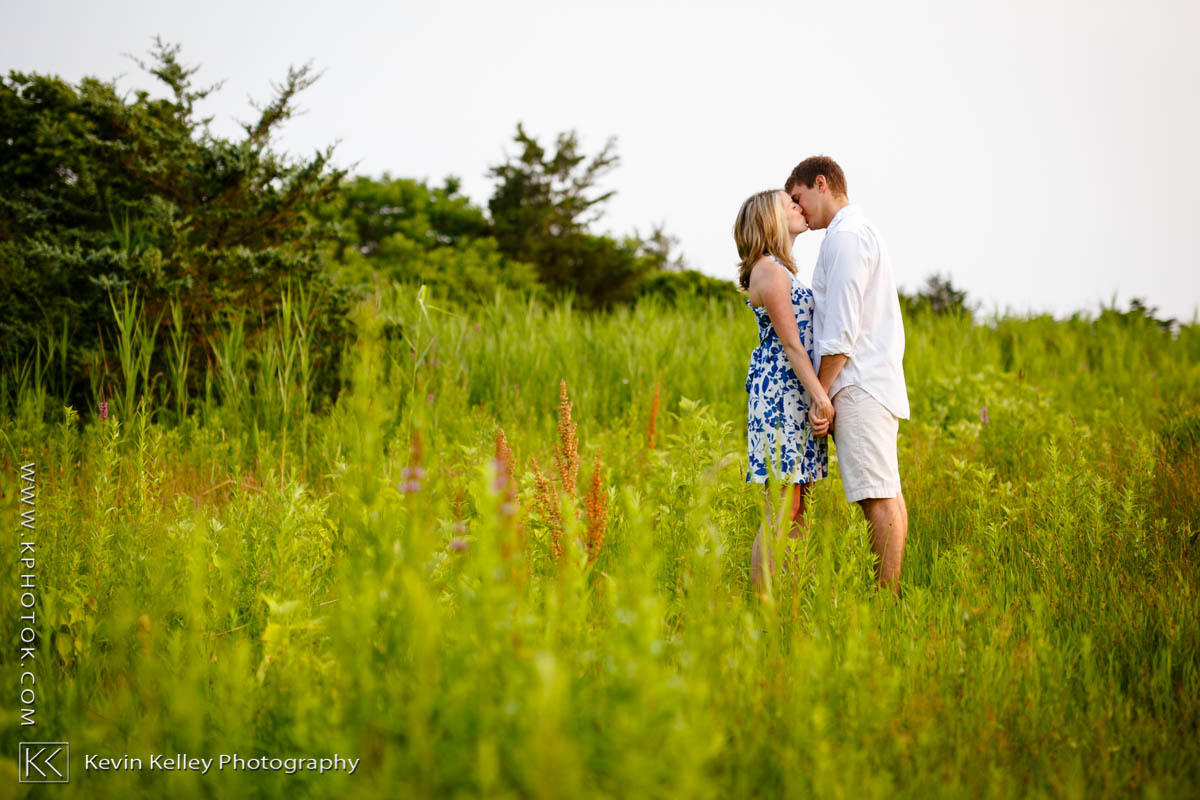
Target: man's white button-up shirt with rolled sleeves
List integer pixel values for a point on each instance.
(859, 311)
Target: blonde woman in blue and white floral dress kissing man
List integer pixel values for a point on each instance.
(789, 411)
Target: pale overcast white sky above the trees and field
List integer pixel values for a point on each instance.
(1041, 153)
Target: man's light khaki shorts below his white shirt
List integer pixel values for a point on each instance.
(865, 434)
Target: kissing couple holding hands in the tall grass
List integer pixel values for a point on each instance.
(830, 359)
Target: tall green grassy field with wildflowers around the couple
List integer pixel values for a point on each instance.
(248, 575)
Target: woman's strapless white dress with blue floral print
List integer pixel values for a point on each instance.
(779, 406)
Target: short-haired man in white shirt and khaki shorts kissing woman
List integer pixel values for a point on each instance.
(860, 350)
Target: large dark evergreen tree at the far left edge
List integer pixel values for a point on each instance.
(99, 194)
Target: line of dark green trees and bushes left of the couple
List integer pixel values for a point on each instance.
(104, 196)
